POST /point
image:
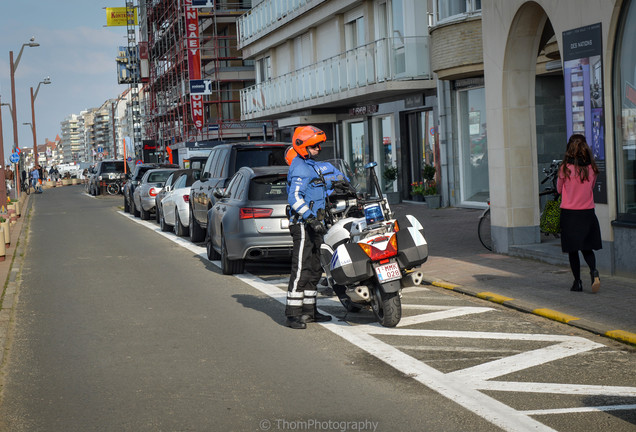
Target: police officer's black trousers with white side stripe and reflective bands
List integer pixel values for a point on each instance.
(305, 272)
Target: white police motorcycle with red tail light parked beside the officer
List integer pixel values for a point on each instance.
(367, 251)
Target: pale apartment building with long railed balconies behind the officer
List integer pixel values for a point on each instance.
(360, 70)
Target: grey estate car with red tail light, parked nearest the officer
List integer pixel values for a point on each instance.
(248, 220)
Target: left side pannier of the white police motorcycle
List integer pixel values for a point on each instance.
(349, 264)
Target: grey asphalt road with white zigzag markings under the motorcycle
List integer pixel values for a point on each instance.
(119, 328)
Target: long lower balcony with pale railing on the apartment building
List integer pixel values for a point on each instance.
(382, 68)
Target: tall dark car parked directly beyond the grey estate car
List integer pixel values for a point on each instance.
(222, 163)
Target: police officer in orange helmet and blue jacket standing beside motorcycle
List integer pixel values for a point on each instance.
(307, 192)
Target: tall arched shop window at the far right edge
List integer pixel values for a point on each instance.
(625, 113)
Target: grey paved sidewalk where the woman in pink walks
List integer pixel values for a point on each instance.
(457, 261)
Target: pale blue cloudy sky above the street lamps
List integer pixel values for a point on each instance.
(76, 51)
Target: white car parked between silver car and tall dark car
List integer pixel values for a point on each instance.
(173, 210)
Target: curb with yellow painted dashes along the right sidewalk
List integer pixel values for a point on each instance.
(590, 326)
